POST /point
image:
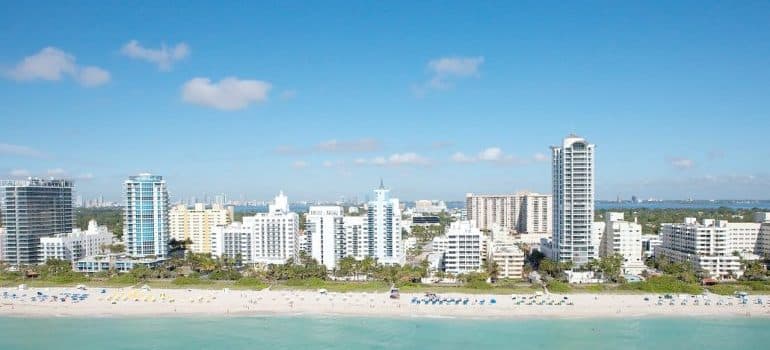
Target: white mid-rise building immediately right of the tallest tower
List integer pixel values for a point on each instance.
(623, 238)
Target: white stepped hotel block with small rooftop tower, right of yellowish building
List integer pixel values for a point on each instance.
(265, 238)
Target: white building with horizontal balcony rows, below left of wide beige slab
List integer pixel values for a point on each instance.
(463, 250)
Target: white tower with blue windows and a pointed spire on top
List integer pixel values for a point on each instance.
(383, 228)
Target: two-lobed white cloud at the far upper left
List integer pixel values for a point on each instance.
(53, 64)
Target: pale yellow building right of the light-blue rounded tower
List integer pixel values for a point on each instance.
(196, 223)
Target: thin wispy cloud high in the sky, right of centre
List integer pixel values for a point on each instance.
(445, 71)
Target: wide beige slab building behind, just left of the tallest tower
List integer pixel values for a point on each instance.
(522, 212)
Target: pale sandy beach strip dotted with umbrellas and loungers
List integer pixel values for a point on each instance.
(127, 302)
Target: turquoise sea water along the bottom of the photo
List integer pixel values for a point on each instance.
(379, 333)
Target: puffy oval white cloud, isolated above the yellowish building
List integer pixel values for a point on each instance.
(228, 94)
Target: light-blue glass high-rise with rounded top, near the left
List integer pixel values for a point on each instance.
(146, 225)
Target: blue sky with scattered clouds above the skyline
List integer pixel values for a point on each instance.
(321, 99)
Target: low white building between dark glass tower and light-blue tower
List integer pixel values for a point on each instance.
(77, 244)
